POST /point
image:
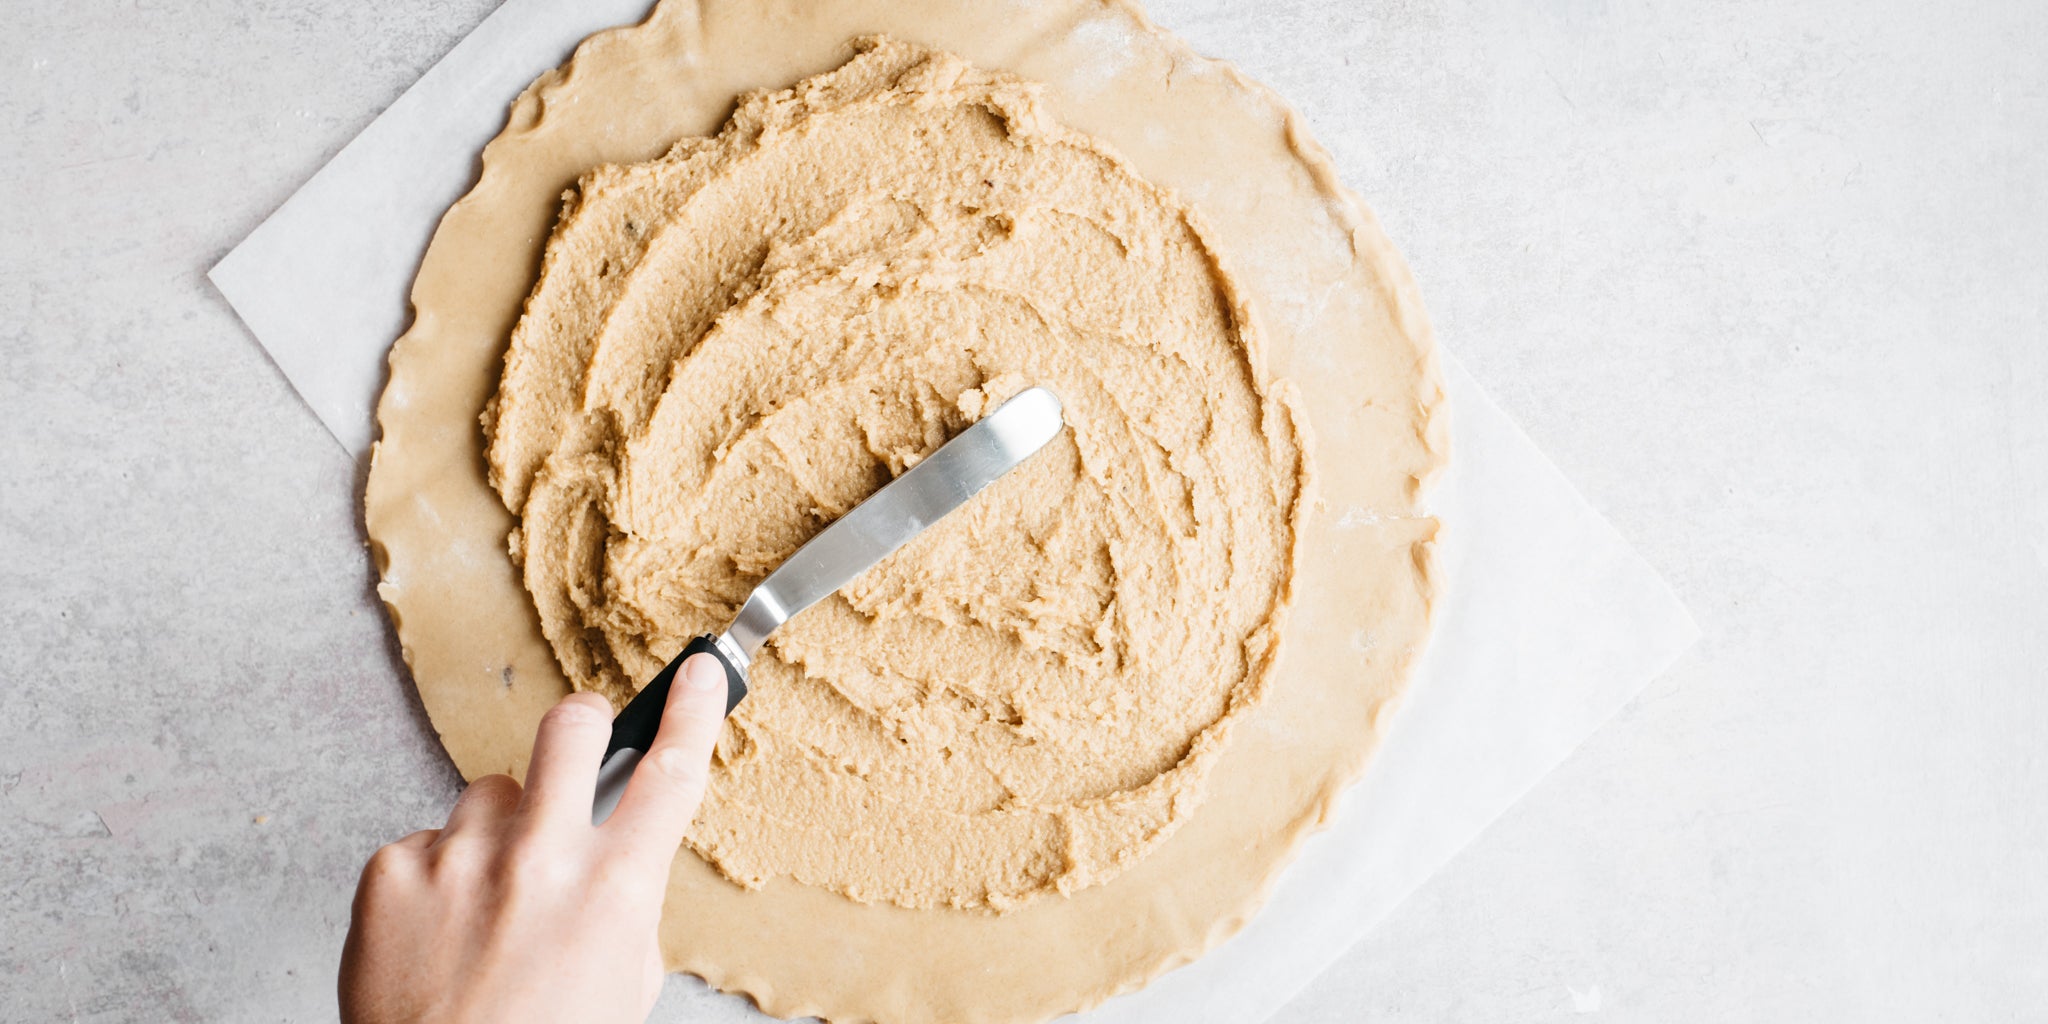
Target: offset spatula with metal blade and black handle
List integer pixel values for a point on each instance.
(835, 558)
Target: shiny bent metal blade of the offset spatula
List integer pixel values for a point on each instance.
(900, 511)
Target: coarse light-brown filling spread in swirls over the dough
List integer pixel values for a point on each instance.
(734, 345)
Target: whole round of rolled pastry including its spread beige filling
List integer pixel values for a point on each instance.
(1091, 763)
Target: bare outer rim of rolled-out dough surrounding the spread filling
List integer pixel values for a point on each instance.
(1320, 284)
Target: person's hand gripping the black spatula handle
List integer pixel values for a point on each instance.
(521, 910)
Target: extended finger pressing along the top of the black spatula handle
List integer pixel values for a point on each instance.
(671, 779)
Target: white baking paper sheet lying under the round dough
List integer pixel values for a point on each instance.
(1549, 624)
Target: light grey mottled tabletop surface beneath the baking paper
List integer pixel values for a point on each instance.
(1770, 282)
